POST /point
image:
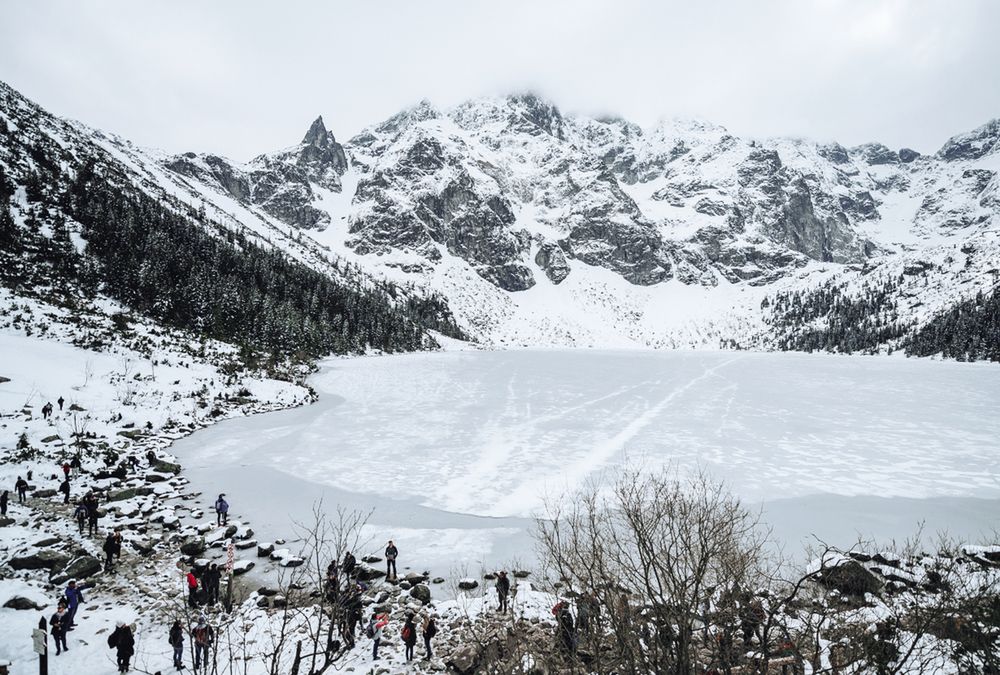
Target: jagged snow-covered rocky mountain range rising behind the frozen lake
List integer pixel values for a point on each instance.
(541, 228)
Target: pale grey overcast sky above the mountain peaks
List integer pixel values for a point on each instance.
(239, 77)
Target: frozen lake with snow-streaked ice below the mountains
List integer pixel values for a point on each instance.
(456, 451)
